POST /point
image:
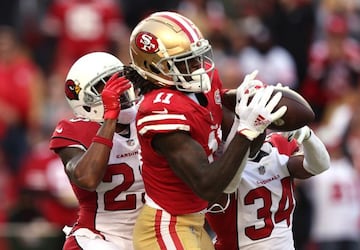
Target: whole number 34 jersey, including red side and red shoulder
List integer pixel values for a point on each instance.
(260, 214)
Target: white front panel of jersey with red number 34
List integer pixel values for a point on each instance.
(266, 202)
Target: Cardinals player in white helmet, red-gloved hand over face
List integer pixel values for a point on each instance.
(99, 149)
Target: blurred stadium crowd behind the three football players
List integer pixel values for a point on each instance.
(313, 46)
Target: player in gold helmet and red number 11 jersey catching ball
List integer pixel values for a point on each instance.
(179, 130)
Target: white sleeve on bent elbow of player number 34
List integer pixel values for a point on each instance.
(316, 157)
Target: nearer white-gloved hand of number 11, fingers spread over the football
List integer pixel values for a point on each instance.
(257, 115)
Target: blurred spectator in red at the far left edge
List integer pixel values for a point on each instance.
(21, 85)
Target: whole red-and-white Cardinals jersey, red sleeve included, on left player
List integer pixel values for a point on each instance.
(110, 211)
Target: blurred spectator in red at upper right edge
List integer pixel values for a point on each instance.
(334, 68)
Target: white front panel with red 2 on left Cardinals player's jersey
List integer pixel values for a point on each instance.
(125, 196)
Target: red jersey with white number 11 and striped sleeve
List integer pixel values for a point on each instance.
(164, 111)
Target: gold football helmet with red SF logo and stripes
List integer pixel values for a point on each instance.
(163, 49)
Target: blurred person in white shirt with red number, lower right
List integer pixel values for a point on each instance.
(335, 200)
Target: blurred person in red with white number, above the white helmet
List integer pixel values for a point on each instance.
(82, 26)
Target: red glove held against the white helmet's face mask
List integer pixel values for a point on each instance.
(110, 95)
